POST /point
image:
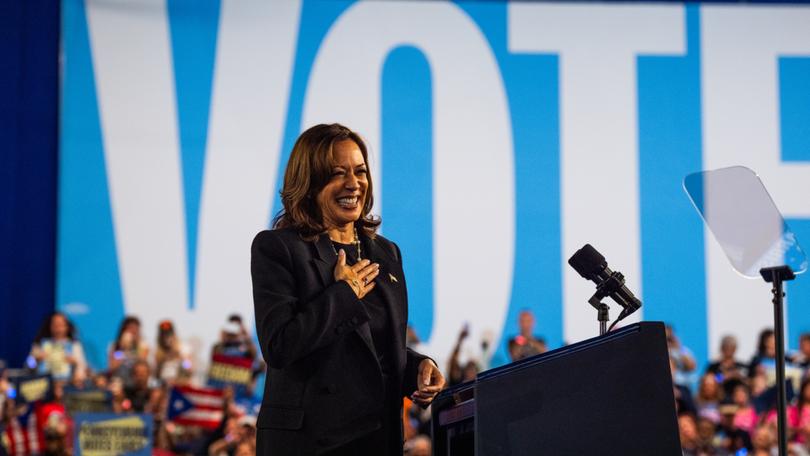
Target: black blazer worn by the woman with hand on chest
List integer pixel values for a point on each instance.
(324, 384)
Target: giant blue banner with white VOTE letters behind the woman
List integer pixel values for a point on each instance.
(503, 135)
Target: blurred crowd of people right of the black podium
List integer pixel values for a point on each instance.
(731, 409)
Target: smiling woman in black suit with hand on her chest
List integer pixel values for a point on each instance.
(331, 311)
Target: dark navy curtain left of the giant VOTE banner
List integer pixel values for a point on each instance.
(29, 49)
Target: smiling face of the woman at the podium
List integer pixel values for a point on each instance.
(342, 199)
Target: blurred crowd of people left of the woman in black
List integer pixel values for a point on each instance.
(139, 379)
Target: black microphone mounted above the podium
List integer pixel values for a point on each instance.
(591, 265)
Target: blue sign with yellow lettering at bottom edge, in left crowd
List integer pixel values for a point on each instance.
(107, 433)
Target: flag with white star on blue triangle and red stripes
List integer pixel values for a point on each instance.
(191, 406)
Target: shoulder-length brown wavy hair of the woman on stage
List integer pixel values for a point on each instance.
(308, 171)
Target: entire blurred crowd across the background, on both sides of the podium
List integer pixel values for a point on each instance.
(726, 408)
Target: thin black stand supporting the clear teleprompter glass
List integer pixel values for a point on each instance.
(777, 276)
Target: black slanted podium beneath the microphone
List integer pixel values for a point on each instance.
(610, 395)
